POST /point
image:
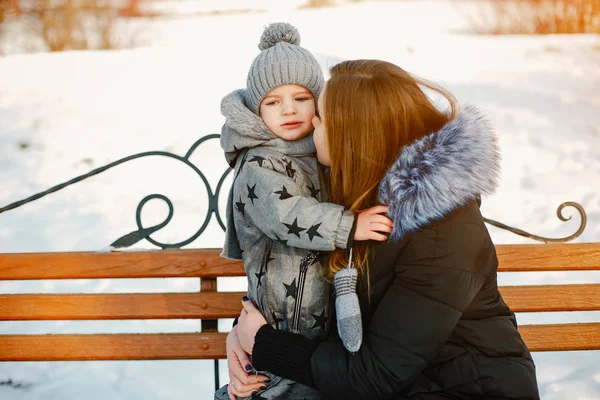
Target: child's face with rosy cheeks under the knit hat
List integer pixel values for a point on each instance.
(287, 111)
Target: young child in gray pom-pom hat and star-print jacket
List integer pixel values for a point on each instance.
(275, 221)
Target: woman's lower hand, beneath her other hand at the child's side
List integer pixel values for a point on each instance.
(241, 381)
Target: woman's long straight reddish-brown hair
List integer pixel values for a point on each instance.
(372, 109)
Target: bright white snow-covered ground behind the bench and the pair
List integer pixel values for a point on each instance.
(62, 115)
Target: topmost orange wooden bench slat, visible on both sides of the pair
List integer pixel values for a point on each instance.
(207, 262)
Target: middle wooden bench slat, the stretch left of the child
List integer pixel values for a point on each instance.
(209, 305)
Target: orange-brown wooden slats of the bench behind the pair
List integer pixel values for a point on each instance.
(209, 305)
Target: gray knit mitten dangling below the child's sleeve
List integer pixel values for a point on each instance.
(347, 307)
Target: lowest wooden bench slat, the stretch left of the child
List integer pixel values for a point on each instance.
(160, 346)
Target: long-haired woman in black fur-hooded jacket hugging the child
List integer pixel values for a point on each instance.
(435, 325)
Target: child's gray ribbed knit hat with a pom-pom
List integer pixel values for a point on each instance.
(281, 62)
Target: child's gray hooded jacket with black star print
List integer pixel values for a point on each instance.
(274, 217)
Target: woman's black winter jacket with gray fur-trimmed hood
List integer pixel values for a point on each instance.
(435, 325)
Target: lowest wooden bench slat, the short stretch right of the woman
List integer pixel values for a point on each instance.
(562, 337)
